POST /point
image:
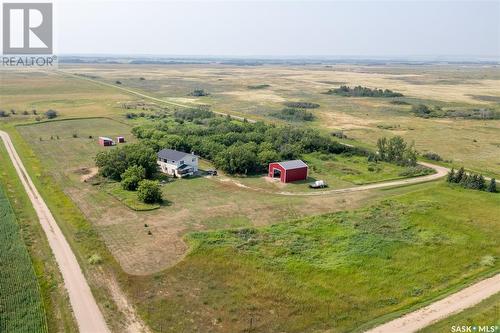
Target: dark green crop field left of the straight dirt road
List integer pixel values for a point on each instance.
(21, 302)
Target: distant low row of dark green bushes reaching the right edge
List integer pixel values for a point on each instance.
(425, 111)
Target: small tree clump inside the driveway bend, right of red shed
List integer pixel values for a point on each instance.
(395, 150)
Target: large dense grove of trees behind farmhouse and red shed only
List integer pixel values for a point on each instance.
(234, 146)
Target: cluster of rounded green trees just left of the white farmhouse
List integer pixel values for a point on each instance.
(134, 166)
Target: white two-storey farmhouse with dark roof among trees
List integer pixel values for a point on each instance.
(177, 163)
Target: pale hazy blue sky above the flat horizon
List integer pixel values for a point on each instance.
(280, 28)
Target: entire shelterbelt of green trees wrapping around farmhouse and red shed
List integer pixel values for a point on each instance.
(237, 147)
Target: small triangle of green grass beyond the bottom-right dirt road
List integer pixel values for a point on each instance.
(486, 313)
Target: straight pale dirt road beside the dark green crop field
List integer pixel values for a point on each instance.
(88, 316)
